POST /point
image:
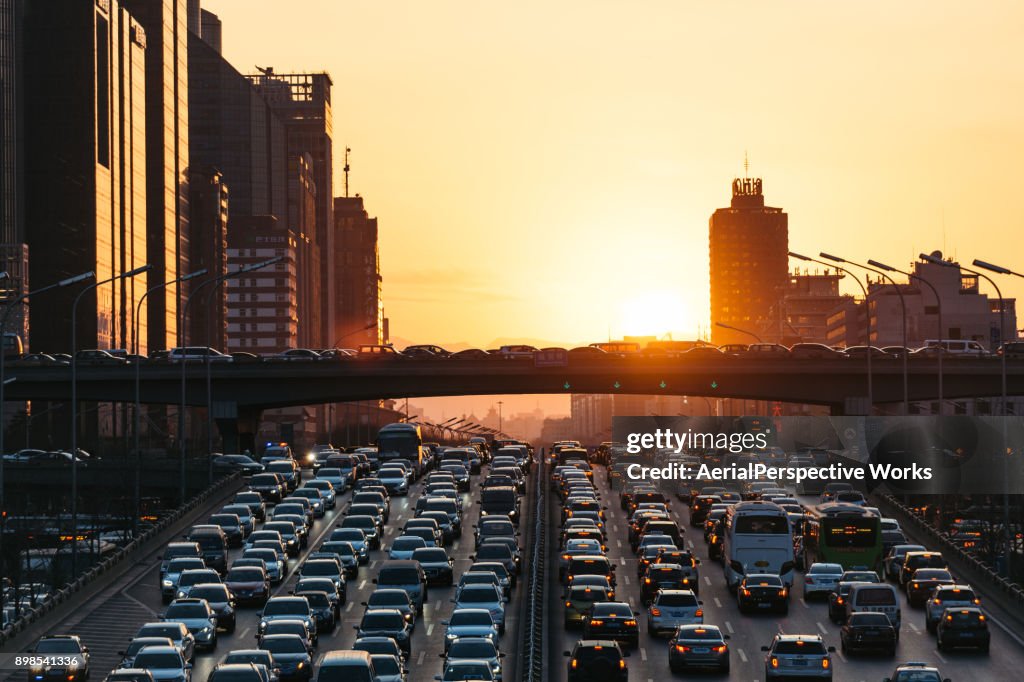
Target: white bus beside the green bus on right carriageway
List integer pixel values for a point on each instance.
(758, 539)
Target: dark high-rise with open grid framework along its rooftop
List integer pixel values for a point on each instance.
(304, 102)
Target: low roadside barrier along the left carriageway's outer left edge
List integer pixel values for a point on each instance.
(131, 551)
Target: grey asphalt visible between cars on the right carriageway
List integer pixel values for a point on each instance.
(750, 632)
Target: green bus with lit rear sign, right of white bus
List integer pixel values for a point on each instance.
(843, 534)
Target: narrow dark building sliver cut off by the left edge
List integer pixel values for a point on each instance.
(14, 251)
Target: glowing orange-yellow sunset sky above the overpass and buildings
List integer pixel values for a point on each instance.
(546, 170)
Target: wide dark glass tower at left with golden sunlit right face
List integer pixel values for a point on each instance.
(86, 124)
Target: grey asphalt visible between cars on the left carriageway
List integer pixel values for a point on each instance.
(108, 623)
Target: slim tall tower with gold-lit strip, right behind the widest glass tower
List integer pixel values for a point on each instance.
(167, 159)
